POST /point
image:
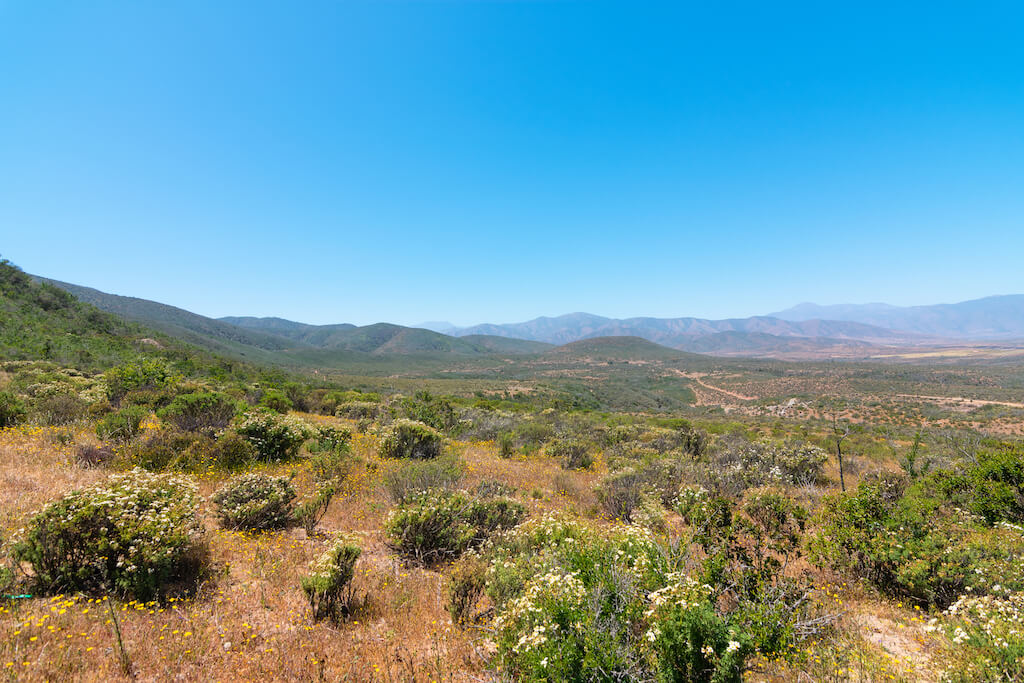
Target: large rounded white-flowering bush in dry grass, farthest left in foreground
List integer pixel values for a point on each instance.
(137, 534)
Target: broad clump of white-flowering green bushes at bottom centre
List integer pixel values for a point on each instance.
(579, 603)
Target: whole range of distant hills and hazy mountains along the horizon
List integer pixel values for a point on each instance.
(804, 331)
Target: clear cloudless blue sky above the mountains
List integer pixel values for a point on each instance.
(495, 161)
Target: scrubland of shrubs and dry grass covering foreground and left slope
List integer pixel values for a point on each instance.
(164, 517)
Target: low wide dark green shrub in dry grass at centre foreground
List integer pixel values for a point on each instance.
(441, 526)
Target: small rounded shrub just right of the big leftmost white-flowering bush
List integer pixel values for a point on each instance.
(255, 503)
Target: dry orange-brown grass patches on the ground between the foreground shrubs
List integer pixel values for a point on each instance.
(251, 621)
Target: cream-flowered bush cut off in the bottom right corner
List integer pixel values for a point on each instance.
(988, 633)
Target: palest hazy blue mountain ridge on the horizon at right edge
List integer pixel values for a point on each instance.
(991, 318)
